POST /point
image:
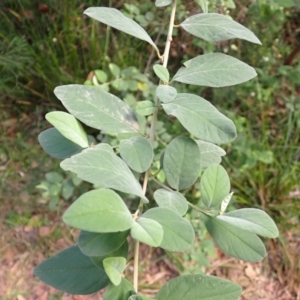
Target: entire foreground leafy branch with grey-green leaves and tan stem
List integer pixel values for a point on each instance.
(120, 206)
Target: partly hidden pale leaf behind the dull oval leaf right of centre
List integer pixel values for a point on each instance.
(210, 153)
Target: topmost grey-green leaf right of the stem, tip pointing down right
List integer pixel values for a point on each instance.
(214, 27)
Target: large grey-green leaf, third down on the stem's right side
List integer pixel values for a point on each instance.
(201, 118)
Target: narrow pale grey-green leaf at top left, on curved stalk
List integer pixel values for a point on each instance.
(114, 18)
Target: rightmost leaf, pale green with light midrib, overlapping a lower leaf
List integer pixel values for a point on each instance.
(253, 220)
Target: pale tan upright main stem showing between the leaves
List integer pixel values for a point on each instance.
(151, 137)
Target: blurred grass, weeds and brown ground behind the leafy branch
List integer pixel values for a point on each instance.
(43, 45)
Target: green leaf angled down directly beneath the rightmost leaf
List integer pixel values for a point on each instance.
(235, 241)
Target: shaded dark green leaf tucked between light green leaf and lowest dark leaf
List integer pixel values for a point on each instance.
(101, 244)
